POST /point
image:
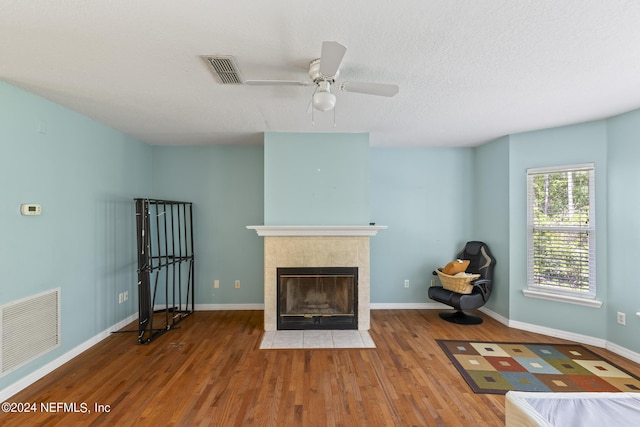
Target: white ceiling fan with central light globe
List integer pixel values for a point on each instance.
(323, 72)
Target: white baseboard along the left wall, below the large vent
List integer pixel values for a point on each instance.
(23, 383)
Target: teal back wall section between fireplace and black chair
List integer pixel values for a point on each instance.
(424, 196)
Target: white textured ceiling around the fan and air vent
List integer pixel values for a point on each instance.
(469, 70)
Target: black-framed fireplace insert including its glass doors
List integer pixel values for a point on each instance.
(317, 298)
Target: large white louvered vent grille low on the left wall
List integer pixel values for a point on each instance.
(30, 327)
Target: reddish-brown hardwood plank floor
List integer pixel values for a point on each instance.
(211, 372)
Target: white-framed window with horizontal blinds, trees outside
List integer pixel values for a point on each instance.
(561, 230)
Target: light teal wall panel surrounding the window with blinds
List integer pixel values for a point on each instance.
(581, 143)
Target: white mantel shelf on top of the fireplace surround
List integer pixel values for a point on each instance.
(316, 230)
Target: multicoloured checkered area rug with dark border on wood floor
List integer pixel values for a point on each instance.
(497, 367)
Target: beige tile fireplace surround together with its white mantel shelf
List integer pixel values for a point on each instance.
(316, 246)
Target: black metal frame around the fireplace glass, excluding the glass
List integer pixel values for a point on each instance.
(317, 322)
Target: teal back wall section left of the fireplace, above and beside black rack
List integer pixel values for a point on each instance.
(225, 185)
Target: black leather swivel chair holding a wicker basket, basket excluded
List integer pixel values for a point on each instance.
(482, 263)
